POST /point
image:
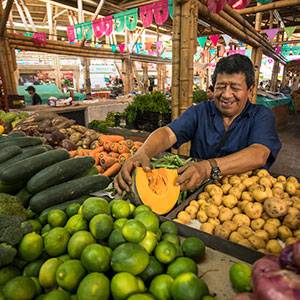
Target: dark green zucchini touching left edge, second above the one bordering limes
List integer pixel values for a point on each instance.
(26, 168)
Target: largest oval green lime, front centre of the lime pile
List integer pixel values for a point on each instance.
(129, 257)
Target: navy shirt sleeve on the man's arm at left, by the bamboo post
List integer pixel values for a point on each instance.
(185, 126)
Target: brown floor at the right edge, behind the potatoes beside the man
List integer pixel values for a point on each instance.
(288, 160)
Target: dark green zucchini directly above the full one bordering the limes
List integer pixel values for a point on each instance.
(59, 173)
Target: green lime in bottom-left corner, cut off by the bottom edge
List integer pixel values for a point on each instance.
(19, 288)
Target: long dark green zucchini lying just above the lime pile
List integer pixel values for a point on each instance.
(67, 191)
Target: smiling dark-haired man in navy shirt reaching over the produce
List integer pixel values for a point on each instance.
(229, 135)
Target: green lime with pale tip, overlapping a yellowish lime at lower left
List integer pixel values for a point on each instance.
(69, 274)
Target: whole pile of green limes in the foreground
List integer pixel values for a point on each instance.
(100, 250)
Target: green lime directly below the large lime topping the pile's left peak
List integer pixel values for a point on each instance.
(101, 226)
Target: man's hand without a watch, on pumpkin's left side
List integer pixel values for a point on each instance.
(123, 180)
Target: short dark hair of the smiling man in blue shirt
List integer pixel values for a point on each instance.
(236, 63)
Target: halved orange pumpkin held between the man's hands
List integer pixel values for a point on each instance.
(157, 189)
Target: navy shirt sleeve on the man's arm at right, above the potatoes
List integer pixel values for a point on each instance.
(264, 132)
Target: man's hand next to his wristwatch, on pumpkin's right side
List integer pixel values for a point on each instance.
(193, 174)
